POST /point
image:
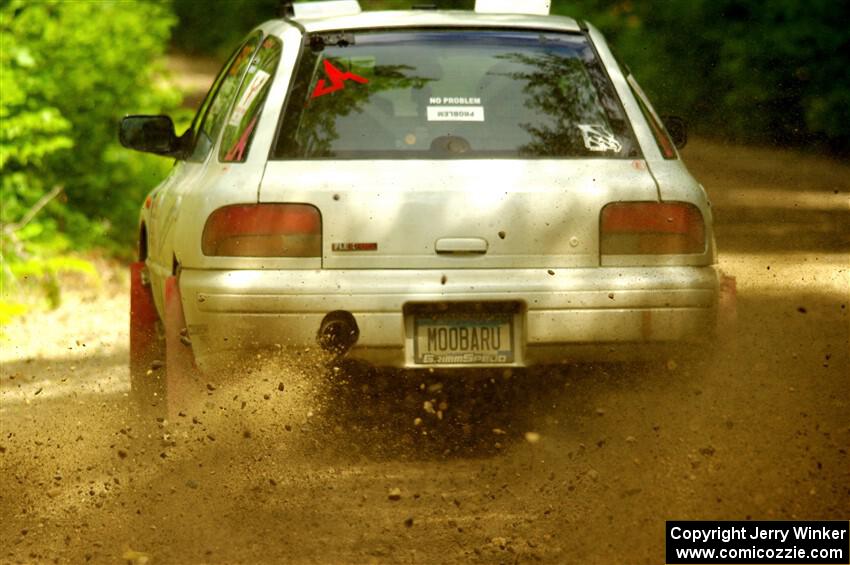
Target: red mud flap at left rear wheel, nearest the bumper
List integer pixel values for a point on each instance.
(181, 372)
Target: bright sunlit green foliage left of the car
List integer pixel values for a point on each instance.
(69, 72)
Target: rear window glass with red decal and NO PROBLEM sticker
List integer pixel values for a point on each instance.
(452, 94)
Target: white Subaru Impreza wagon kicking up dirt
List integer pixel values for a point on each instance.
(419, 189)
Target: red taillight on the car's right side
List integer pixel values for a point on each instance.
(646, 228)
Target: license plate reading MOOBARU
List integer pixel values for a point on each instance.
(446, 339)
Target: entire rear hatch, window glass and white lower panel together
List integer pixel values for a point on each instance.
(455, 148)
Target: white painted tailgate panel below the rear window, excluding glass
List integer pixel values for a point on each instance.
(458, 214)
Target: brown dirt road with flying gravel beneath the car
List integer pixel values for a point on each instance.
(573, 464)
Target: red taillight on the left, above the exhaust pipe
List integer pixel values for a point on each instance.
(264, 230)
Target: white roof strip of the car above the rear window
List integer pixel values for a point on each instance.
(434, 18)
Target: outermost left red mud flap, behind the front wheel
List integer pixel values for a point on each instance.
(143, 319)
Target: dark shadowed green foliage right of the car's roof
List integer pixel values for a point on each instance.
(767, 72)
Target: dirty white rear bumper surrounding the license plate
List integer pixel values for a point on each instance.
(565, 314)
